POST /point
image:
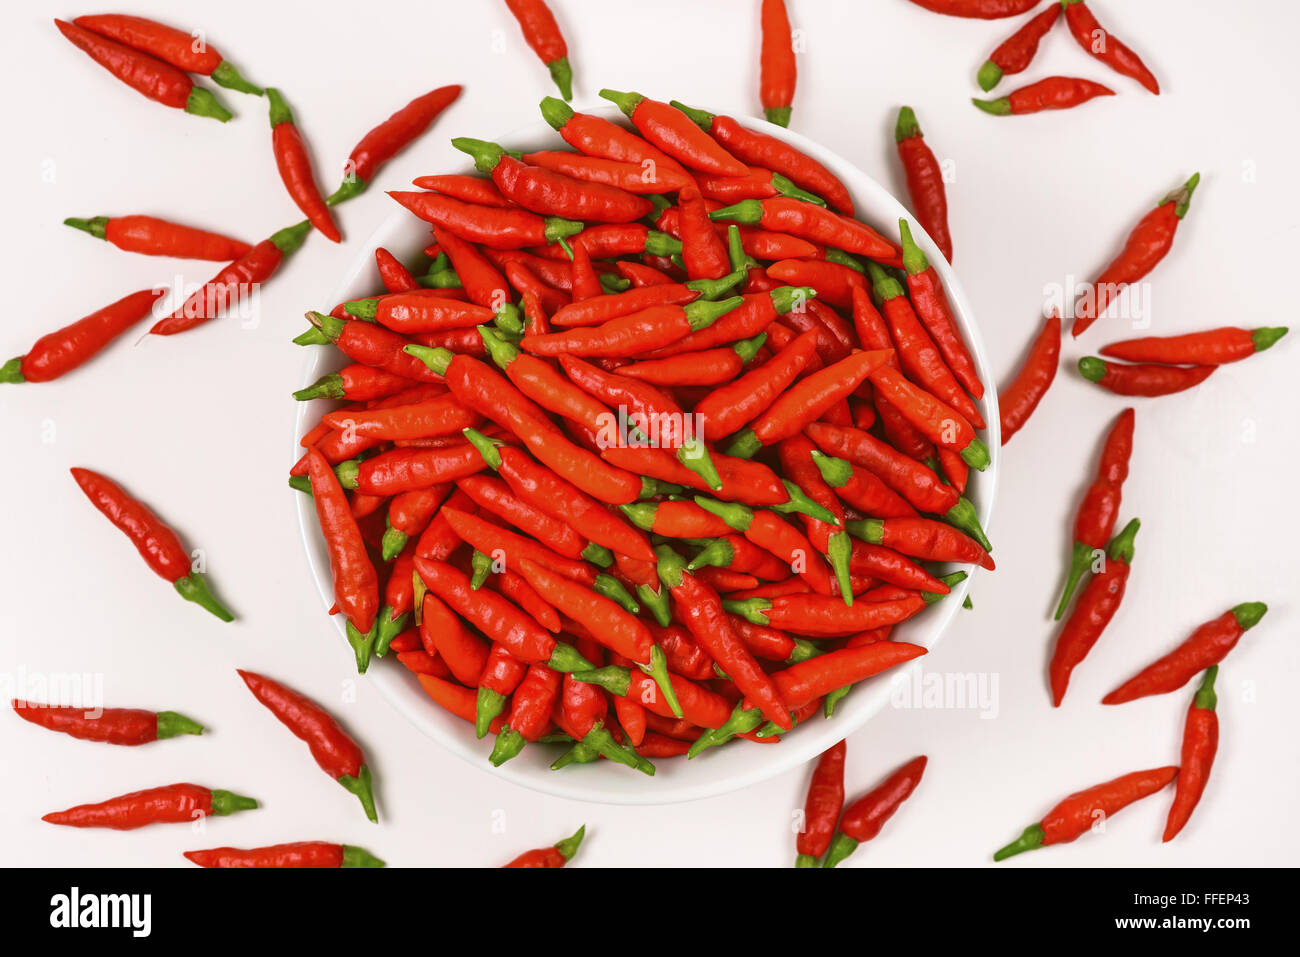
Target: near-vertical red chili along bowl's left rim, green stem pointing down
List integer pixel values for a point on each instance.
(357, 587)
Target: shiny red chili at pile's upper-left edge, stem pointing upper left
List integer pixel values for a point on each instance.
(549, 193)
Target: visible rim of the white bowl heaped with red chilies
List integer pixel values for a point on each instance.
(721, 770)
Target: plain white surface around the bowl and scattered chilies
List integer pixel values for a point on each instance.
(200, 426)
